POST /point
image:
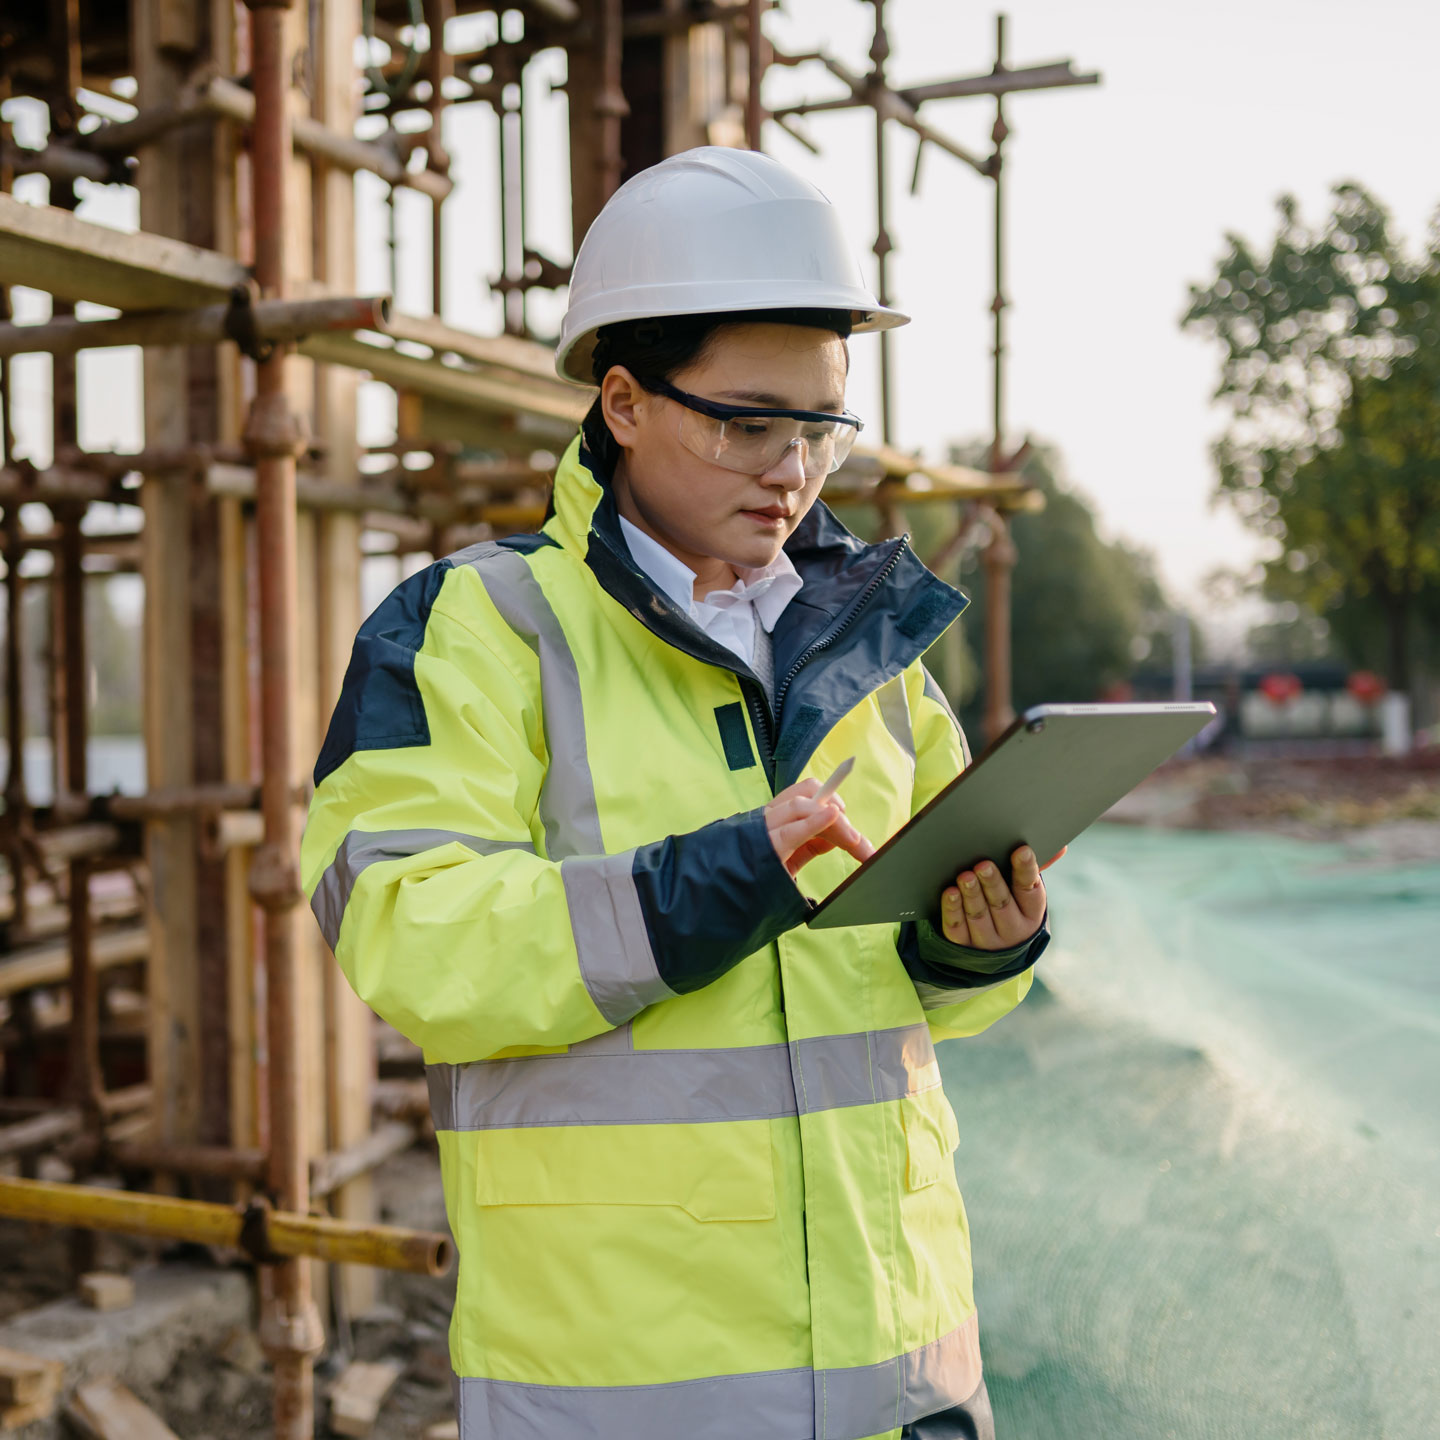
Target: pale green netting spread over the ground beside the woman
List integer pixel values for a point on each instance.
(1203, 1166)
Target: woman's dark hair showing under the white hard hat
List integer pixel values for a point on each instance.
(660, 349)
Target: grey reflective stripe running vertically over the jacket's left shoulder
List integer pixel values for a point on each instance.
(568, 809)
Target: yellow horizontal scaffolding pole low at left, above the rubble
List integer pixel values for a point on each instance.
(263, 1233)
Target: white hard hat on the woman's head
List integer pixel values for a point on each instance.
(712, 230)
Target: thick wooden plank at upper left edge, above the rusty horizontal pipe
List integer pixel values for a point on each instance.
(51, 250)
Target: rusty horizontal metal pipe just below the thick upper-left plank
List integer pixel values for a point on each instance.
(270, 320)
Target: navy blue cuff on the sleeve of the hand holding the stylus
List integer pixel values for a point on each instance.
(712, 898)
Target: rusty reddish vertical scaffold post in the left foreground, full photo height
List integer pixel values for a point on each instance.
(290, 1327)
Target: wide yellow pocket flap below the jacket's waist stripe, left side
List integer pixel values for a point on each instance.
(719, 1171)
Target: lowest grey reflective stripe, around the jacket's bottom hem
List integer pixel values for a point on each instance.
(778, 1405)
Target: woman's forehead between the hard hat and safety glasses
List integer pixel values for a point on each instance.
(796, 366)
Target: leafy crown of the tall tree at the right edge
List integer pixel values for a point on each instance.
(1331, 374)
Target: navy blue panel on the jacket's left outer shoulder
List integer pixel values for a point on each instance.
(381, 706)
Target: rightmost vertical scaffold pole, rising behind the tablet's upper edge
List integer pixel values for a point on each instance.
(1000, 554)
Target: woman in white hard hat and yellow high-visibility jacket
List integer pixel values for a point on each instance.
(696, 1156)
